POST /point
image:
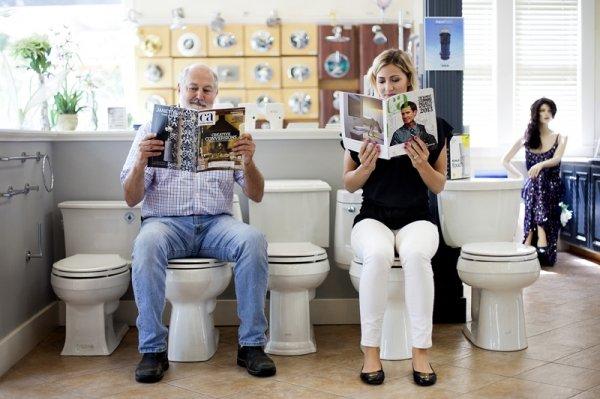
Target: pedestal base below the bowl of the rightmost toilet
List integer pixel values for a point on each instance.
(500, 322)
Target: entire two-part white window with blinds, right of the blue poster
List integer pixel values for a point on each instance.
(516, 52)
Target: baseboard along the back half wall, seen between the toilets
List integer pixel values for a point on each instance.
(322, 311)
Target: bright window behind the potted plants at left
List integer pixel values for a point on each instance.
(102, 43)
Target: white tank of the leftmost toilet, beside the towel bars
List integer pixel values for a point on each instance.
(99, 227)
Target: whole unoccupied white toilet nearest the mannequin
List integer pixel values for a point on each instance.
(480, 216)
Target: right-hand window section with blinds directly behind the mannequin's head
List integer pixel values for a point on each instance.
(546, 61)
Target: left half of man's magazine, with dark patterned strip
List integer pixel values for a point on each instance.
(177, 127)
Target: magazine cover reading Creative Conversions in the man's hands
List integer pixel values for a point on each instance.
(219, 131)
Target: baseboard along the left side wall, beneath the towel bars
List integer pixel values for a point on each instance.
(25, 337)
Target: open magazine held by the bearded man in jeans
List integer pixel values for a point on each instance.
(197, 140)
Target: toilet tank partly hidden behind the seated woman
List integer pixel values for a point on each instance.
(347, 207)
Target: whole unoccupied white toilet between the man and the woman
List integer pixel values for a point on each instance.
(294, 216)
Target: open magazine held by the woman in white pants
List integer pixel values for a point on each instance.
(389, 122)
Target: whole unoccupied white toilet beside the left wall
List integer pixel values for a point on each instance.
(95, 274)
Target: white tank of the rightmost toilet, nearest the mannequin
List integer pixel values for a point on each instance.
(479, 210)
